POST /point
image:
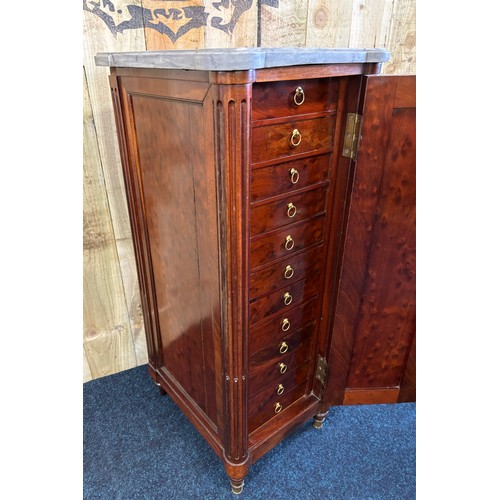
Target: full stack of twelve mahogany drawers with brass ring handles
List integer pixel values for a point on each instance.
(292, 140)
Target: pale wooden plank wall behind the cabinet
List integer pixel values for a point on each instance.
(113, 337)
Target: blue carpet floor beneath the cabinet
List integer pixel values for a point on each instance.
(138, 445)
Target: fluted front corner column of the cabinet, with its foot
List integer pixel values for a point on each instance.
(232, 107)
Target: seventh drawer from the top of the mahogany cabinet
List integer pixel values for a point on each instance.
(284, 299)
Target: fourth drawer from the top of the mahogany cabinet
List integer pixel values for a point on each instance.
(288, 210)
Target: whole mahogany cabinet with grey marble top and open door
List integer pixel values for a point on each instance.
(275, 249)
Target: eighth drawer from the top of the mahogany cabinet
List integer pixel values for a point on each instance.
(271, 333)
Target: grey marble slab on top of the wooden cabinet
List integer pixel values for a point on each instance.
(238, 59)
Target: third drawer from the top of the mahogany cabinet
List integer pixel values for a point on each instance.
(287, 177)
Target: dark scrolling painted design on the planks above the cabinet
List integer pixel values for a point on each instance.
(173, 18)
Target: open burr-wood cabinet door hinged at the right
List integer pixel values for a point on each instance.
(372, 353)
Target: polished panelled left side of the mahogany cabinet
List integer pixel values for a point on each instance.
(166, 132)
